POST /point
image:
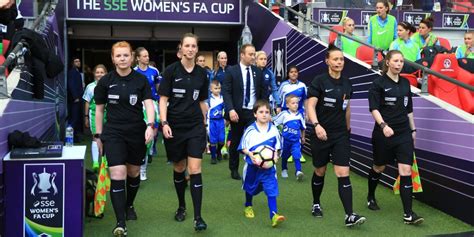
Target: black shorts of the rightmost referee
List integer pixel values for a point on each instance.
(396, 148)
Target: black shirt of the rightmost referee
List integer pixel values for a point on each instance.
(393, 101)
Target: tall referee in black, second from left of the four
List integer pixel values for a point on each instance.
(185, 88)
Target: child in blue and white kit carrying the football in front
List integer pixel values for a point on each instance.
(256, 179)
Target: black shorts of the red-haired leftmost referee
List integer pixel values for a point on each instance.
(124, 144)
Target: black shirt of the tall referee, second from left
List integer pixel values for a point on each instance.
(185, 90)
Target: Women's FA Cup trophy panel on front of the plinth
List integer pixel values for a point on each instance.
(43, 202)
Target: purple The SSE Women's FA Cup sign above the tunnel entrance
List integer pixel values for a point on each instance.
(201, 11)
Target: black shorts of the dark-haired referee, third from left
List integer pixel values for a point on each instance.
(337, 148)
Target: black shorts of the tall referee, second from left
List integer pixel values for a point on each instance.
(186, 142)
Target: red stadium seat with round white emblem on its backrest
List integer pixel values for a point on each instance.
(446, 64)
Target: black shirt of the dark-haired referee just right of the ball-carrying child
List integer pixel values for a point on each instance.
(333, 97)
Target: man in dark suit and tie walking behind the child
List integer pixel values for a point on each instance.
(242, 87)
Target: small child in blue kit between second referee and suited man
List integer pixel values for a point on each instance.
(215, 121)
